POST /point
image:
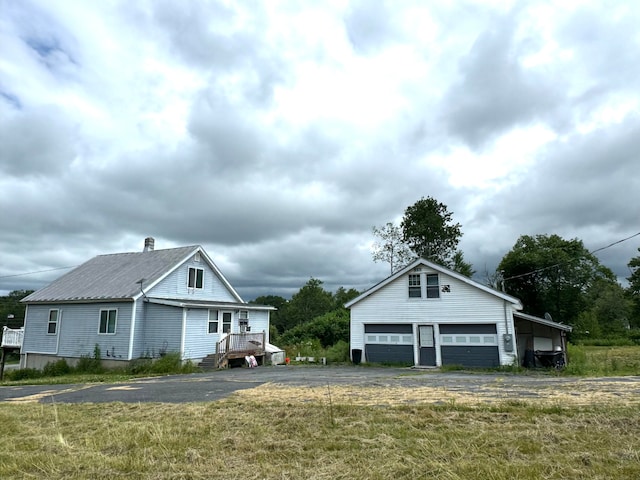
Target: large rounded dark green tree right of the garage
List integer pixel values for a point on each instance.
(552, 275)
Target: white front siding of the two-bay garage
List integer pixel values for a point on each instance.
(462, 304)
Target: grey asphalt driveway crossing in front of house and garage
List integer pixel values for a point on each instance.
(204, 387)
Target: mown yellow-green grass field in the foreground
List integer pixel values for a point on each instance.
(274, 432)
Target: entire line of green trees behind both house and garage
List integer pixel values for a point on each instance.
(552, 277)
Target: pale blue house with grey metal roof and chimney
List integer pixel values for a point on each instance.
(138, 304)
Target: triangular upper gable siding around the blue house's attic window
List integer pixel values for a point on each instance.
(174, 286)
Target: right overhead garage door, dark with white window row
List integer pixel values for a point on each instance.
(469, 345)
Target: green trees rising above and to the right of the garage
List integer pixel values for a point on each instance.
(552, 276)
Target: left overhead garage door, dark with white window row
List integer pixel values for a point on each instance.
(389, 343)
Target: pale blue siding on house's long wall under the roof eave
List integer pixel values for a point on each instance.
(78, 331)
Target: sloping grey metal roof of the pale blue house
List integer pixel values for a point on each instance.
(113, 277)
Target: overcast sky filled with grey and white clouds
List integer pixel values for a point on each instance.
(276, 134)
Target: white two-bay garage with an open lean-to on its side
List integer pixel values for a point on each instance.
(428, 315)
